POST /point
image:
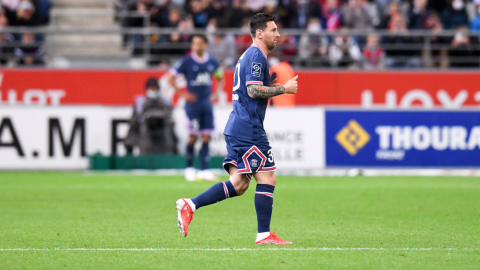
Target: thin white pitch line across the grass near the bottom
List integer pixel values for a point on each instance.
(238, 249)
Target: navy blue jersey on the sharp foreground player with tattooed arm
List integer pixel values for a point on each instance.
(246, 119)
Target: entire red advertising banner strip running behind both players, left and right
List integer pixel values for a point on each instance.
(368, 89)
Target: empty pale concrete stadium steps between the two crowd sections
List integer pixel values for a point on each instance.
(68, 48)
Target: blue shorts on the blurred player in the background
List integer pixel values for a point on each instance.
(200, 119)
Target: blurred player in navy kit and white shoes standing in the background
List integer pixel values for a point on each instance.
(198, 69)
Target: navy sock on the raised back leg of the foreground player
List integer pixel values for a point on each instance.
(216, 193)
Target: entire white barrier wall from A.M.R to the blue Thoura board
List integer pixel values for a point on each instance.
(63, 137)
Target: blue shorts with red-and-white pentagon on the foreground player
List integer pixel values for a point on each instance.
(249, 157)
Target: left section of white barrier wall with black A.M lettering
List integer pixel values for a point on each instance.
(56, 137)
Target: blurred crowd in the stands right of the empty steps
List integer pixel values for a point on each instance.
(370, 51)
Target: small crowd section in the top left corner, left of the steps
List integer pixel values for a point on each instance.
(25, 49)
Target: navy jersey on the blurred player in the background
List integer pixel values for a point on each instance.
(198, 72)
